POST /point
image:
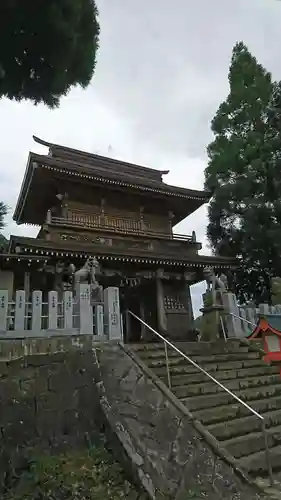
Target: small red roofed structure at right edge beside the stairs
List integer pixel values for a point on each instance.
(268, 330)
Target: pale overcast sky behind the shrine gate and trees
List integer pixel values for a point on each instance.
(161, 74)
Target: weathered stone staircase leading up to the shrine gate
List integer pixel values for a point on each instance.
(242, 370)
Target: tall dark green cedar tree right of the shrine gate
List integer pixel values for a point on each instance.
(244, 176)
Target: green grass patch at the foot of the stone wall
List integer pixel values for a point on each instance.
(90, 474)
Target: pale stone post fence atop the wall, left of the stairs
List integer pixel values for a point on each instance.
(64, 315)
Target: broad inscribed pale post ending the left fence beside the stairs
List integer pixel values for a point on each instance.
(112, 313)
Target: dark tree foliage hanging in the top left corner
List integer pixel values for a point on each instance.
(46, 47)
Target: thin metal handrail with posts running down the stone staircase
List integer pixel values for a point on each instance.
(254, 412)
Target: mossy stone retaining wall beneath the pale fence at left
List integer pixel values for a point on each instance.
(46, 402)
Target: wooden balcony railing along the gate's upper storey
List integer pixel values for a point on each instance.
(116, 225)
